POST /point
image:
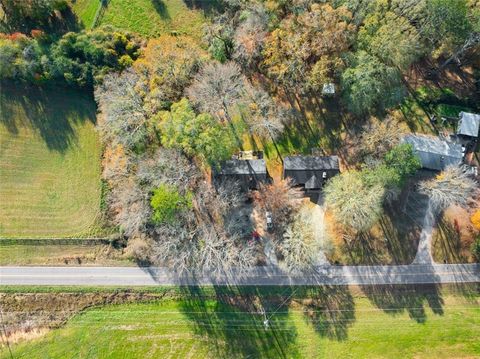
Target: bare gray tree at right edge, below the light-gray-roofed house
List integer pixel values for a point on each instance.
(453, 186)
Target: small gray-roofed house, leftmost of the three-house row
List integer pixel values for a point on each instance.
(248, 173)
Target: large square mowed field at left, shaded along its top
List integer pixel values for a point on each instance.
(49, 163)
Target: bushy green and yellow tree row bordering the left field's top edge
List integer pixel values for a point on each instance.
(81, 59)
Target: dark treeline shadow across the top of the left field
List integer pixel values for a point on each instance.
(52, 112)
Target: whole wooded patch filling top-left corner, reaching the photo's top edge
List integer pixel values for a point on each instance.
(37, 47)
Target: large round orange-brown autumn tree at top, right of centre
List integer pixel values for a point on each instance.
(304, 52)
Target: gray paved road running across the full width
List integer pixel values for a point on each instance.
(324, 275)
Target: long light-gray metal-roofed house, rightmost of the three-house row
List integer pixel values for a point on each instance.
(434, 153)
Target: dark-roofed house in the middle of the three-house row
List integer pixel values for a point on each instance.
(310, 171)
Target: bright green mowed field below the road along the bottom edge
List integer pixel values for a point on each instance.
(208, 329)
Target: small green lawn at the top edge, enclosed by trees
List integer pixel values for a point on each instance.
(152, 18)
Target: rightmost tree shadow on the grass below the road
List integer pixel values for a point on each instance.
(413, 299)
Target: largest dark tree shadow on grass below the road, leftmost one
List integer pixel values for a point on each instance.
(232, 318)
